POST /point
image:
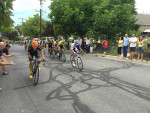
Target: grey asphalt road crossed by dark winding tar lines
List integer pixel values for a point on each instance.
(104, 86)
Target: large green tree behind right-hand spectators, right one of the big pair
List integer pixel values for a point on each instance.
(113, 17)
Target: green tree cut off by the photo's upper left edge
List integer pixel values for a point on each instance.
(5, 13)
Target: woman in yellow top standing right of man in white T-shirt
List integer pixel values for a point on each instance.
(140, 47)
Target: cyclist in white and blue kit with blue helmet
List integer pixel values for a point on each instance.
(75, 48)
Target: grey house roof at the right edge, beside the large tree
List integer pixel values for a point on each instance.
(143, 19)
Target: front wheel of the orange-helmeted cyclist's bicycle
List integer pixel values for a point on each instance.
(36, 75)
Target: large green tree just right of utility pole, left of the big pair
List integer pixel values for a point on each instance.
(71, 16)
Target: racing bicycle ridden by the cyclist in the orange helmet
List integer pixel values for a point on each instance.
(35, 71)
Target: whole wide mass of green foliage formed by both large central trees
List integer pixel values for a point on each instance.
(93, 18)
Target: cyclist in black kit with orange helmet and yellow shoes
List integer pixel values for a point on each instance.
(35, 50)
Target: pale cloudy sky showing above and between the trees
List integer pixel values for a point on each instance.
(26, 8)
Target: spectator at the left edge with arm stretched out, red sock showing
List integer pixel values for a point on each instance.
(3, 62)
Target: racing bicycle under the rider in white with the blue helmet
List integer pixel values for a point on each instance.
(78, 61)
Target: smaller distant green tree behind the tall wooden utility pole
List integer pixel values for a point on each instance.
(32, 26)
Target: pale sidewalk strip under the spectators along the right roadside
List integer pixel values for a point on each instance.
(122, 59)
